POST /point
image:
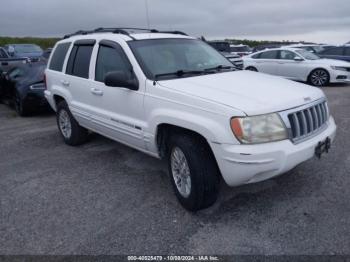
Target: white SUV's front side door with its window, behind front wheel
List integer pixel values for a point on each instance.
(118, 112)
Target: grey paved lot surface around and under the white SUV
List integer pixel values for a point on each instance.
(104, 198)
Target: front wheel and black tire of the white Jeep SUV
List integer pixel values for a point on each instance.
(192, 165)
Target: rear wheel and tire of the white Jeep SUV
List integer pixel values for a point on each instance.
(72, 133)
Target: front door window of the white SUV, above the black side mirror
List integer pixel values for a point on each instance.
(108, 60)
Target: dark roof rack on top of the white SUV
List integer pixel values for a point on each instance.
(119, 30)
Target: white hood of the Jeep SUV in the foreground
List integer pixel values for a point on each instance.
(251, 92)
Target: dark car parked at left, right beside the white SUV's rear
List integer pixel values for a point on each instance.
(24, 86)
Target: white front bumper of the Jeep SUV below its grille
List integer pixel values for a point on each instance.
(244, 164)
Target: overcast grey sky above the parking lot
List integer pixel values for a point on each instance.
(323, 21)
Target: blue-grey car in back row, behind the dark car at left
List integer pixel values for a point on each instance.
(31, 51)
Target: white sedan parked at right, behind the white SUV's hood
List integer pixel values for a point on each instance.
(299, 64)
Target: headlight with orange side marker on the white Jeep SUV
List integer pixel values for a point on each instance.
(259, 129)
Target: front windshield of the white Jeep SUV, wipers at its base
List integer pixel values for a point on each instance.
(168, 57)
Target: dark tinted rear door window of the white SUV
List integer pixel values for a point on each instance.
(79, 61)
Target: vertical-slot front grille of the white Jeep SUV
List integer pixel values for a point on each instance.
(308, 121)
